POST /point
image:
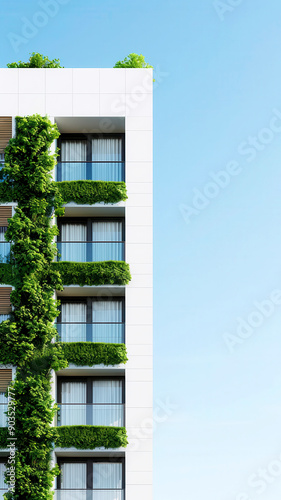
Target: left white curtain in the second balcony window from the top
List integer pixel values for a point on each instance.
(73, 251)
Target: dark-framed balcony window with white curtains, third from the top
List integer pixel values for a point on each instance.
(92, 319)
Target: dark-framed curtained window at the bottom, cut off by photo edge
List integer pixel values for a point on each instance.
(91, 479)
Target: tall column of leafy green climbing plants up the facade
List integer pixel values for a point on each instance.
(26, 338)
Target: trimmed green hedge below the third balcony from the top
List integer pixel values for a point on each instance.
(89, 353)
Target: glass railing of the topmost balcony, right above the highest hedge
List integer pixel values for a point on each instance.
(93, 171)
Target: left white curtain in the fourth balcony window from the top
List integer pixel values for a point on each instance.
(73, 414)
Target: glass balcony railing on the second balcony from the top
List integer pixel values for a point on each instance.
(92, 251)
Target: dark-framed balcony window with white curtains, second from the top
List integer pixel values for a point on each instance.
(91, 240)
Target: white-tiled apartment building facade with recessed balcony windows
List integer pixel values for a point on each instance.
(104, 117)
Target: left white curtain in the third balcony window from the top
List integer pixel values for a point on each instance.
(73, 312)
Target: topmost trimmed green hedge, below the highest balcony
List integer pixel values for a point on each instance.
(90, 192)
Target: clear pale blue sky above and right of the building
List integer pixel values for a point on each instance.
(221, 83)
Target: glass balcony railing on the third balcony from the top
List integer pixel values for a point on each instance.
(112, 333)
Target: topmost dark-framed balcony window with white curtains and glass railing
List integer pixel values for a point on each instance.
(91, 157)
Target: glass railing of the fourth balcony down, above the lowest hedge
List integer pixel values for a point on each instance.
(91, 414)
